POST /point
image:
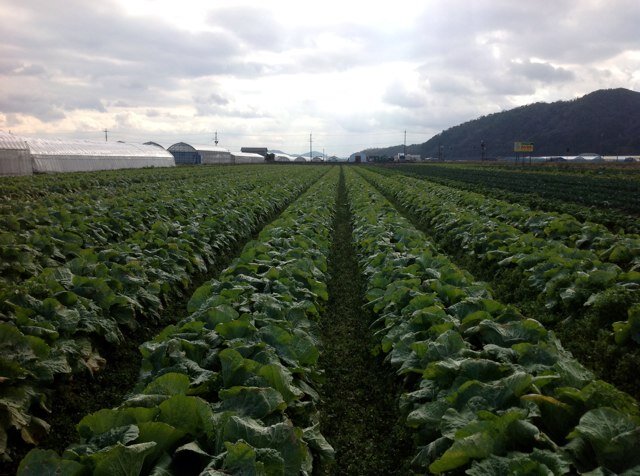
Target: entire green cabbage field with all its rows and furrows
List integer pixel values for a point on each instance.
(319, 319)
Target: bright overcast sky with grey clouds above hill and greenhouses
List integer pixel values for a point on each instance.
(355, 74)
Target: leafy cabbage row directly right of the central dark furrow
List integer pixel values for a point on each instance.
(489, 391)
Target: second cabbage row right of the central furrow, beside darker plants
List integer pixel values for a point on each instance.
(548, 257)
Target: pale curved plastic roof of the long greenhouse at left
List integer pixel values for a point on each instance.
(93, 148)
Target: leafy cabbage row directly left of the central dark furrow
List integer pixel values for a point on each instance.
(233, 387)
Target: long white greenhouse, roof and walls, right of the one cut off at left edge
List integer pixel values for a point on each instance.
(83, 156)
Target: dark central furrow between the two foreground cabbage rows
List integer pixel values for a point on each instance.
(359, 411)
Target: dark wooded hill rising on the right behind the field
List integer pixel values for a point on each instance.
(605, 122)
